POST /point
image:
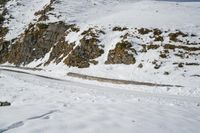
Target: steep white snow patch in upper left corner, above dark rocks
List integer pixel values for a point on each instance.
(21, 14)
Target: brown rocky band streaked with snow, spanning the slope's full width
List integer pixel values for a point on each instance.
(48, 40)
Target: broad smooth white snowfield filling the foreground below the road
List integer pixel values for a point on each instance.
(46, 105)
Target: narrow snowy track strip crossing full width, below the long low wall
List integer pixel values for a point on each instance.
(180, 98)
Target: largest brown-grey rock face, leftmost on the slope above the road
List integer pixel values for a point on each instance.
(35, 43)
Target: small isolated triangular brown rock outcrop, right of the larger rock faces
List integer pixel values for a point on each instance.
(122, 54)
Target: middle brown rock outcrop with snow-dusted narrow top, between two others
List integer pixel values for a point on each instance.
(87, 51)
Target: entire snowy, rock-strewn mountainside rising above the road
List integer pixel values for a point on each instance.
(152, 41)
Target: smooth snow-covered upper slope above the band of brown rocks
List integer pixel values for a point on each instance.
(106, 13)
